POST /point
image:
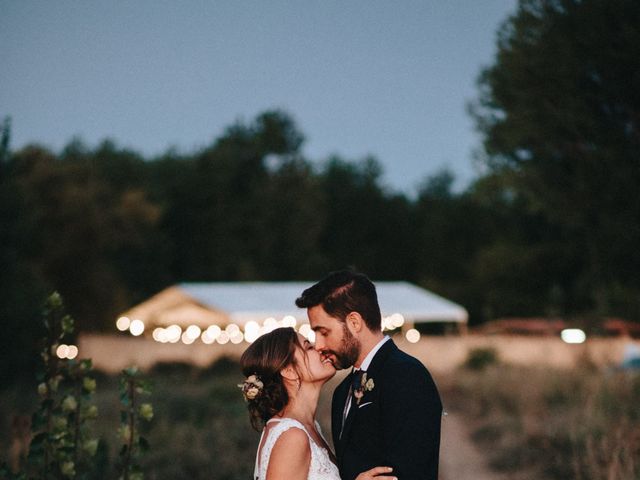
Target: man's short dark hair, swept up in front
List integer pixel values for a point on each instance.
(343, 292)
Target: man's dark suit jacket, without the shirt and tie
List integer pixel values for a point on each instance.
(397, 424)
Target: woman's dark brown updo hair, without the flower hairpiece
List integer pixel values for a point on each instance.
(265, 358)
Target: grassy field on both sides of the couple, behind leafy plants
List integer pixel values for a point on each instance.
(529, 422)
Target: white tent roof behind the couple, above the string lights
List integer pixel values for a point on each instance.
(216, 303)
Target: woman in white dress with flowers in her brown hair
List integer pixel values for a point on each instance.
(284, 377)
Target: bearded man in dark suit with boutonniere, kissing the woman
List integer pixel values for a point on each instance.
(387, 411)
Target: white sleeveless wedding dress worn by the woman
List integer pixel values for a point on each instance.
(321, 466)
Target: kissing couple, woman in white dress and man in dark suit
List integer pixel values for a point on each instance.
(385, 415)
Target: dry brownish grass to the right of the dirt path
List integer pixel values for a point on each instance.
(582, 424)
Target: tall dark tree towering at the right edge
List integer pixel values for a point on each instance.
(559, 111)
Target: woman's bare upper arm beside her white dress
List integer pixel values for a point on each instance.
(290, 457)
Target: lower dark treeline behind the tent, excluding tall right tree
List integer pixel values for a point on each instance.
(107, 228)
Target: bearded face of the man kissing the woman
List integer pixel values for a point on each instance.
(333, 339)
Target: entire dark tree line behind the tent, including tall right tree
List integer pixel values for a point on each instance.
(550, 228)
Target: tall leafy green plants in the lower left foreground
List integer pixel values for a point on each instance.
(62, 444)
